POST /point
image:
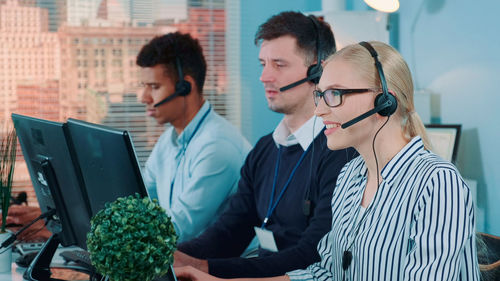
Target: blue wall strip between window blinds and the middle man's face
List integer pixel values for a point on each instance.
(257, 119)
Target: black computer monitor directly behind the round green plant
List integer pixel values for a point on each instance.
(107, 161)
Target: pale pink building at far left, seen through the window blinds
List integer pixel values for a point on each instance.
(28, 52)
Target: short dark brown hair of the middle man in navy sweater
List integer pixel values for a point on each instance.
(303, 29)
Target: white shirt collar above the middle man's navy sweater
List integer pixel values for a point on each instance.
(303, 136)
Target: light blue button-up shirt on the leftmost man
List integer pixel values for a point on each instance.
(193, 174)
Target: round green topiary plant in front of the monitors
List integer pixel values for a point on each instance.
(132, 239)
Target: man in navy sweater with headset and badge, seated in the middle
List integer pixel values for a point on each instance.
(287, 180)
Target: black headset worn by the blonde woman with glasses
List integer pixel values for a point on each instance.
(385, 103)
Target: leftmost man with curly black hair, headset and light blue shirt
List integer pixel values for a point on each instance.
(195, 164)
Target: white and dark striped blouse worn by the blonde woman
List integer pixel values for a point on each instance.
(419, 225)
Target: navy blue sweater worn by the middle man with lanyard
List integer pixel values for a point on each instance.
(295, 233)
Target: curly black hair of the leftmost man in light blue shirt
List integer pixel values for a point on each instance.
(166, 48)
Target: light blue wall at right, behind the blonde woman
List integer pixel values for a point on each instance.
(453, 48)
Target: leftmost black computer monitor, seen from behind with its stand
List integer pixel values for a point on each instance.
(56, 180)
